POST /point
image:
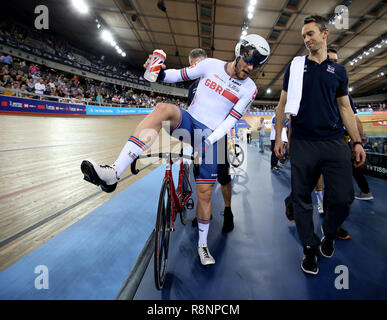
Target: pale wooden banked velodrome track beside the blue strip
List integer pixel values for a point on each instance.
(42, 191)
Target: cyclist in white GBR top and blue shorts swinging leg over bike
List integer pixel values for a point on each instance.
(223, 95)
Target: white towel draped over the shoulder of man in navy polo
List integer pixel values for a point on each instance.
(296, 78)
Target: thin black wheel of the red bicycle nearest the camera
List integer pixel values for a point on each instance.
(162, 229)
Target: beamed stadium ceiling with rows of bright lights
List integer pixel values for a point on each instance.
(140, 26)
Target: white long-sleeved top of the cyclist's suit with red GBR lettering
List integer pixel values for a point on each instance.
(220, 101)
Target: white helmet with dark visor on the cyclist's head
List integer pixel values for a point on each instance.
(253, 49)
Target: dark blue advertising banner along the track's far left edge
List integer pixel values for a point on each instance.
(22, 105)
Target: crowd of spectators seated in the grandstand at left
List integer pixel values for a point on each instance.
(32, 80)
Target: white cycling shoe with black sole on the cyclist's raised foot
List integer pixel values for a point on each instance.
(104, 176)
